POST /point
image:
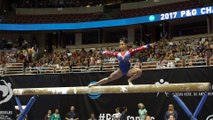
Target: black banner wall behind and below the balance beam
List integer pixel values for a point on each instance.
(103, 105)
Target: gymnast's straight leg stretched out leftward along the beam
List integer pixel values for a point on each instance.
(113, 76)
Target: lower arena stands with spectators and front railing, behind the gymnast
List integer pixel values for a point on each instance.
(181, 52)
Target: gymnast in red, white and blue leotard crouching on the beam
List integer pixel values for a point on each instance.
(124, 63)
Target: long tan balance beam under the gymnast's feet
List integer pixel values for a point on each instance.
(116, 89)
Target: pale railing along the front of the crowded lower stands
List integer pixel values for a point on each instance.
(18, 68)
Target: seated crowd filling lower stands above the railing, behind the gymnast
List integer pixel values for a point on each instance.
(167, 53)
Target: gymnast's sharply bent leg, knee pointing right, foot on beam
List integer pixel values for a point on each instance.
(133, 73)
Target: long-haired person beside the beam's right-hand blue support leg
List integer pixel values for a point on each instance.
(171, 111)
